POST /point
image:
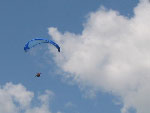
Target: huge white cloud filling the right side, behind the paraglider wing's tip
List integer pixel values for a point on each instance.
(112, 54)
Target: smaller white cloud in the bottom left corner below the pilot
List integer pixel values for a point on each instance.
(16, 99)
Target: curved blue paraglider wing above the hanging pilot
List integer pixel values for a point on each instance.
(37, 41)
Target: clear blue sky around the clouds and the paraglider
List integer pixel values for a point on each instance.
(22, 20)
